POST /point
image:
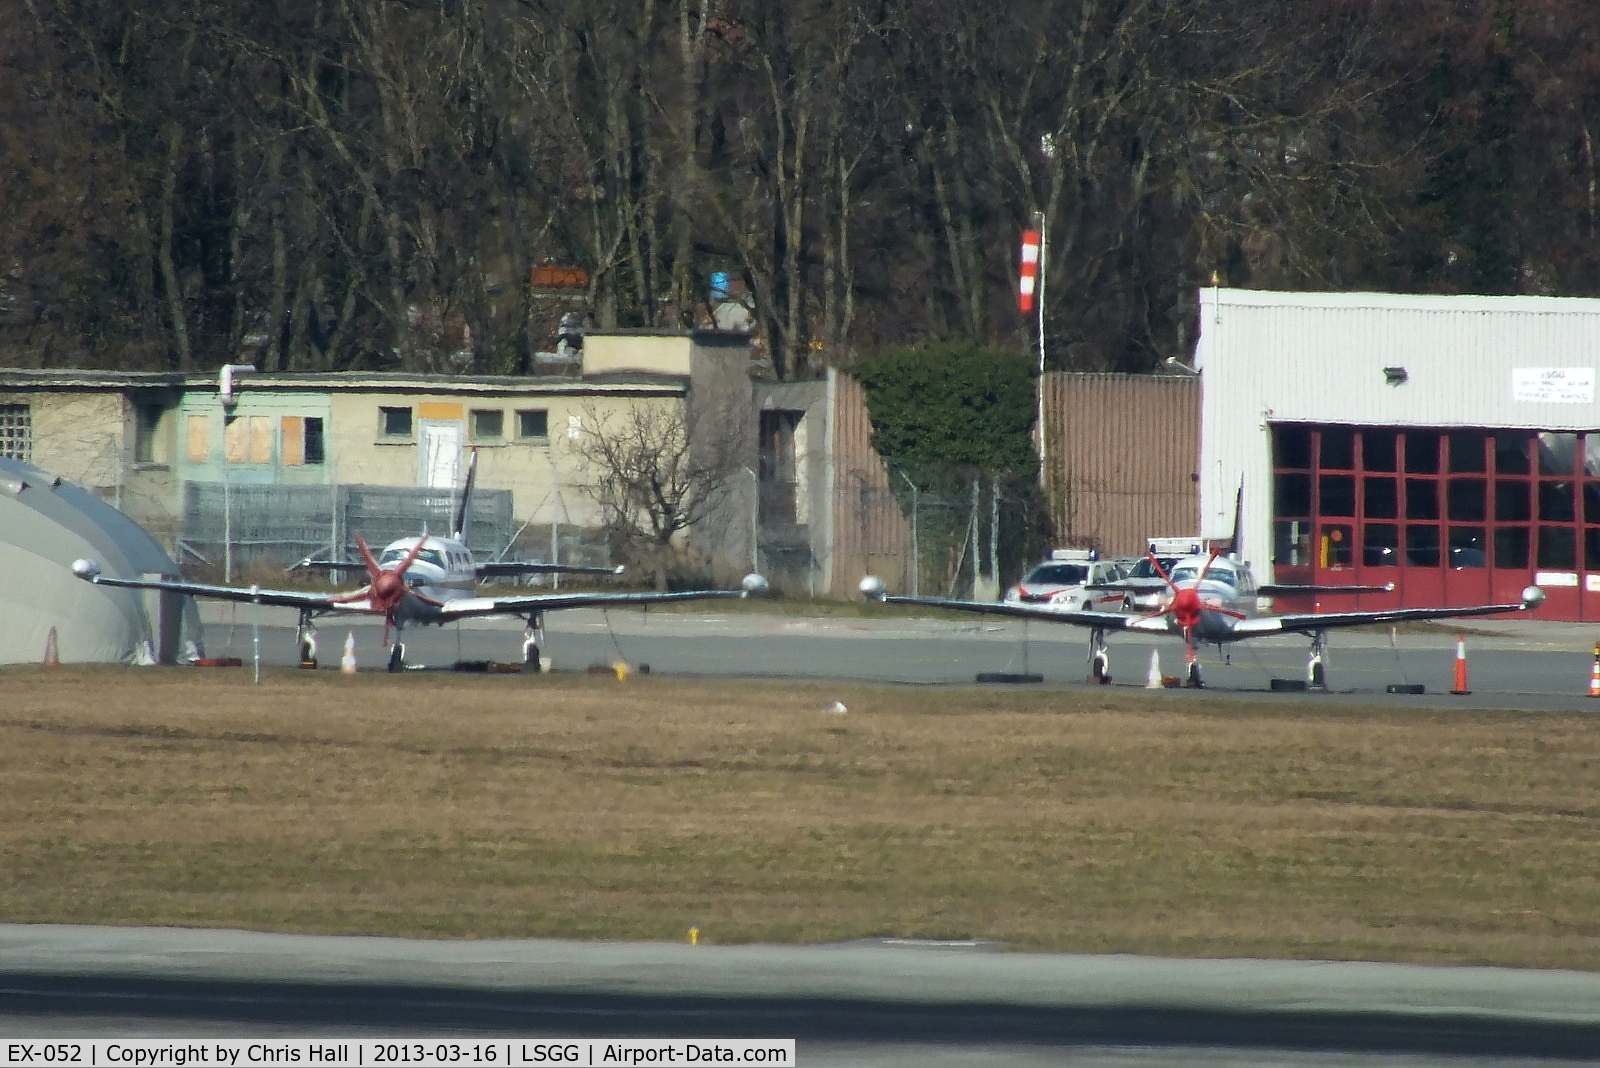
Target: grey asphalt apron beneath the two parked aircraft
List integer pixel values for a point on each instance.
(1511, 663)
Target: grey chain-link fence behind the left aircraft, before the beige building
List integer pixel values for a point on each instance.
(233, 530)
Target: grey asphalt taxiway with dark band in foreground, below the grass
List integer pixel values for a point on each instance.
(879, 1003)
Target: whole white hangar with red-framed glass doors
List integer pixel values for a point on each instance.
(1446, 444)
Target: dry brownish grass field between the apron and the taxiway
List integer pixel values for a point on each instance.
(586, 808)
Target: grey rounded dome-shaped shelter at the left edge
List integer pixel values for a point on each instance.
(49, 524)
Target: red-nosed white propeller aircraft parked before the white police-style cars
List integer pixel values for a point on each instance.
(1212, 600)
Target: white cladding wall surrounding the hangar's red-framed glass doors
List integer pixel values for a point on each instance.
(1321, 357)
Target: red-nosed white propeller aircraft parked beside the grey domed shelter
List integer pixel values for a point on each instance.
(423, 581)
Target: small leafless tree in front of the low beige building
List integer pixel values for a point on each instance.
(657, 472)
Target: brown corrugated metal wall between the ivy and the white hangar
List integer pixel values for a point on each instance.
(1124, 452)
